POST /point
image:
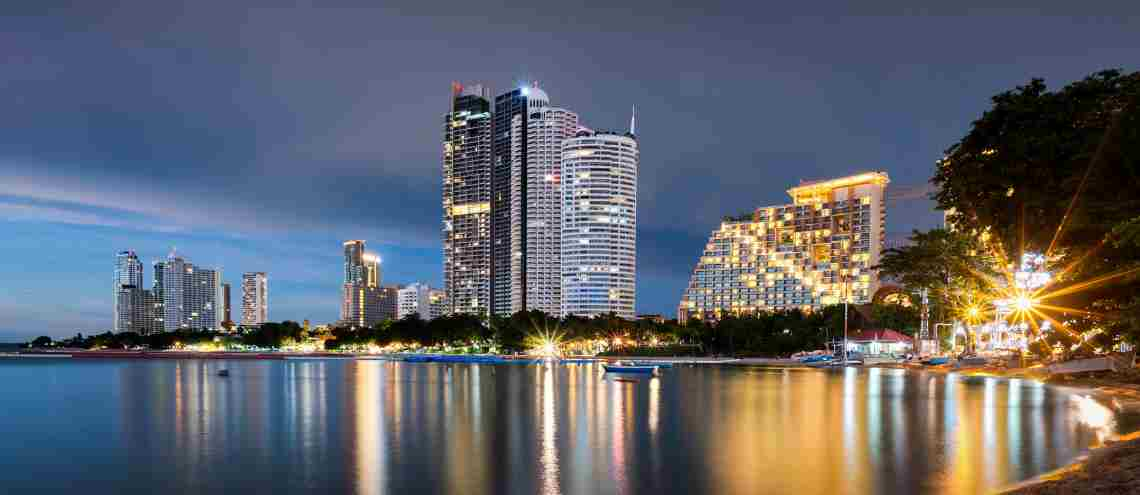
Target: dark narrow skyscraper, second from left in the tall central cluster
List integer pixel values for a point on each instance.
(509, 192)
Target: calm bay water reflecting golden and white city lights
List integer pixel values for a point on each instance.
(374, 427)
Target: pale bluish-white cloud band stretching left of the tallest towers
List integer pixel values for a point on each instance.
(117, 201)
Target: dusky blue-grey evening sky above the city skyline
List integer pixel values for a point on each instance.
(258, 139)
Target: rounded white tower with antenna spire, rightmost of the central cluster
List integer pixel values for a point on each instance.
(599, 223)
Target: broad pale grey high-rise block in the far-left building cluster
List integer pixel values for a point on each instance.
(191, 296)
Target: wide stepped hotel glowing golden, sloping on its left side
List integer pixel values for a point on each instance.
(800, 256)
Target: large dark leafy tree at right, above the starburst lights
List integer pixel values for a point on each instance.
(1055, 173)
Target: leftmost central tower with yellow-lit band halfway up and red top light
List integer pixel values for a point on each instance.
(467, 232)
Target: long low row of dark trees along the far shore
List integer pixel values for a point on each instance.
(768, 335)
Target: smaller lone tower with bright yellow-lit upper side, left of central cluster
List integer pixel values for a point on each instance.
(364, 302)
